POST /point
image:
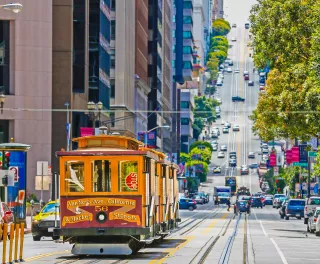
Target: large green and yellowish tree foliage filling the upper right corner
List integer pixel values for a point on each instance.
(286, 35)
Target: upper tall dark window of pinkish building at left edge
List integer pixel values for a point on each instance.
(4, 56)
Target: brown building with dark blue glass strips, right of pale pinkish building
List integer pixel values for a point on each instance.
(80, 65)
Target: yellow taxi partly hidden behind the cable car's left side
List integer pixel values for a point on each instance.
(43, 222)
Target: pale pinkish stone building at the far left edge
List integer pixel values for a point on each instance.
(26, 81)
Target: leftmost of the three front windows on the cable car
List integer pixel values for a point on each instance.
(74, 176)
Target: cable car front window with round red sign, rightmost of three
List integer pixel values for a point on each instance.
(128, 176)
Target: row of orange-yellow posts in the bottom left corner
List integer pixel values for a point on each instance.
(16, 232)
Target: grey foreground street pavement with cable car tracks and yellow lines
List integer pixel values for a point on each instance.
(204, 237)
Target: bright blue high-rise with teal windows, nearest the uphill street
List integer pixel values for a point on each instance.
(182, 71)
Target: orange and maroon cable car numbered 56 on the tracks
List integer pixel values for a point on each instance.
(115, 195)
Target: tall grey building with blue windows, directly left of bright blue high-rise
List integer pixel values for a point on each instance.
(160, 70)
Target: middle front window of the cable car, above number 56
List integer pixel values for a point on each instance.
(101, 175)
